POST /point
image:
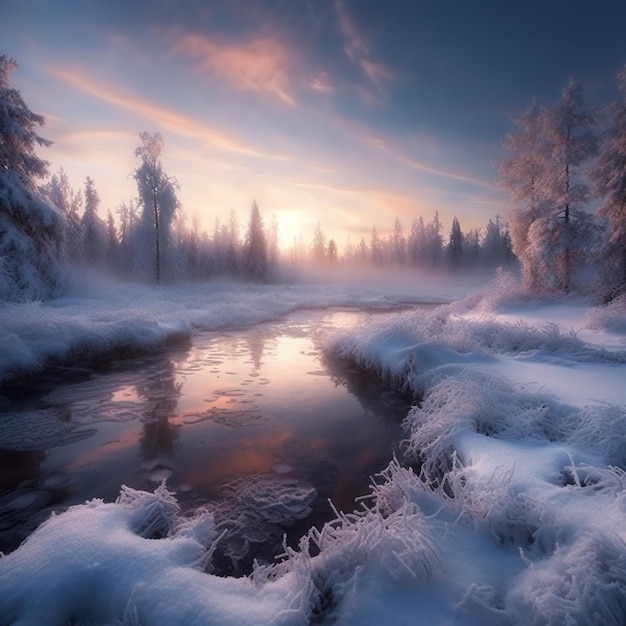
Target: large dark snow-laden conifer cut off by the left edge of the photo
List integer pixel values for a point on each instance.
(32, 231)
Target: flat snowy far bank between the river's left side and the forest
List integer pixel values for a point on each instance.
(112, 321)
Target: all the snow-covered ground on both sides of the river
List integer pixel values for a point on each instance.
(508, 505)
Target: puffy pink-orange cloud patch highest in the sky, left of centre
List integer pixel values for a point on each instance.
(261, 65)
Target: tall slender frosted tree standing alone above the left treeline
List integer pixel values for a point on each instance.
(159, 205)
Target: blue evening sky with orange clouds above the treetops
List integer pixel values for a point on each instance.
(350, 112)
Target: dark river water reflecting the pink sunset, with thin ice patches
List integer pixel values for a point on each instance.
(237, 420)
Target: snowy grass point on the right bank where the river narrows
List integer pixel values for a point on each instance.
(414, 350)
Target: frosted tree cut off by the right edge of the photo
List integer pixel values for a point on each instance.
(609, 176)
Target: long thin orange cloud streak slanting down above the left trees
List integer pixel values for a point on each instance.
(168, 119)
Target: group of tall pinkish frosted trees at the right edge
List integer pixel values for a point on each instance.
(565, 168)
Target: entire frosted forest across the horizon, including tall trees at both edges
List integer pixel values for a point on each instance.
(563, 166)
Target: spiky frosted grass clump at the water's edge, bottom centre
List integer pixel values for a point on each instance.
(390, 536)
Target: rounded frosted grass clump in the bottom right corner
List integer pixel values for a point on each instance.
(580, 583)
